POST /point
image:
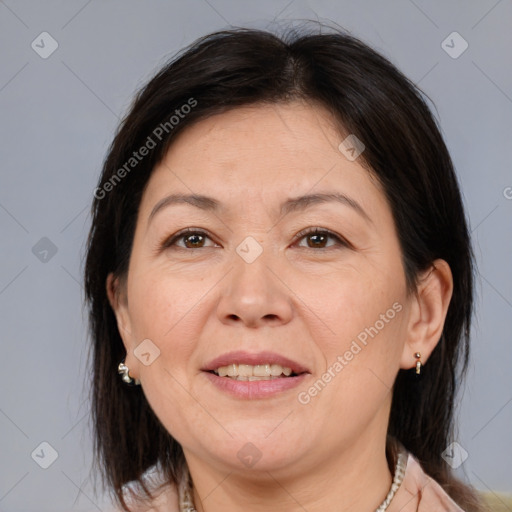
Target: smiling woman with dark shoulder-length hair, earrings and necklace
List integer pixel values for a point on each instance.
(287, 274)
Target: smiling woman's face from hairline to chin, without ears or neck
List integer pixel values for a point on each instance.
(249, 285)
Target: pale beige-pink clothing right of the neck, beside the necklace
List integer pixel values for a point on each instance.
(421, 493)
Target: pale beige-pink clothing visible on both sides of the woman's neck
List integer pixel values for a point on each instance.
(417, 493)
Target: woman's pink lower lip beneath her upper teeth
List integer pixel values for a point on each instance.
(256, 388)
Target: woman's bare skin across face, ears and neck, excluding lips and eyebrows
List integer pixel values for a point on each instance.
(304, 299)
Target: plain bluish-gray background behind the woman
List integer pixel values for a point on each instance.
(58, 116)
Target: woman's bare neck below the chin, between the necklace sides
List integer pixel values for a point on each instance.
(352, 478)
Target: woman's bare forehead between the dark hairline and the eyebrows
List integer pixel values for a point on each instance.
(261, 154)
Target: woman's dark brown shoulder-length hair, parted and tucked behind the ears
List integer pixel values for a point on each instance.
(371, 99)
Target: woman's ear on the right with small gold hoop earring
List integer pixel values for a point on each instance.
(428, 313)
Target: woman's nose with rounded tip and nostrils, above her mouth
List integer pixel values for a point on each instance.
(254, 294)
